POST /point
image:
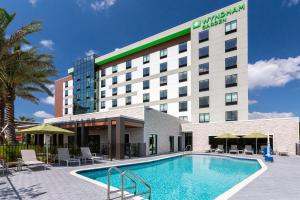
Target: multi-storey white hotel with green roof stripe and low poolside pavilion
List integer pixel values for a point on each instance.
(192, 75)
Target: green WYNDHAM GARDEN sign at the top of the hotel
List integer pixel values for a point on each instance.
(217, 19)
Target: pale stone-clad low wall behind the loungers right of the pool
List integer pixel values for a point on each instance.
(285, 131)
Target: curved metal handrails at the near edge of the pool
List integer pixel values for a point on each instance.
(126, 174)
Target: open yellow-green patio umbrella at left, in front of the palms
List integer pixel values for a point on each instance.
(46, 129)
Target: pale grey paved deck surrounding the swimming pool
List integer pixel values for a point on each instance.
(280, 181)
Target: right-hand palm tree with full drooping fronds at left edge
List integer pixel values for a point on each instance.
(22, 73)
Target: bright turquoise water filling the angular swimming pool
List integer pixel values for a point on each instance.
(185, 177)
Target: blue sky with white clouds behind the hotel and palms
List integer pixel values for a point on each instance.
(74, 27)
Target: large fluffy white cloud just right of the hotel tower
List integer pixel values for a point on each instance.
(273, 73)
